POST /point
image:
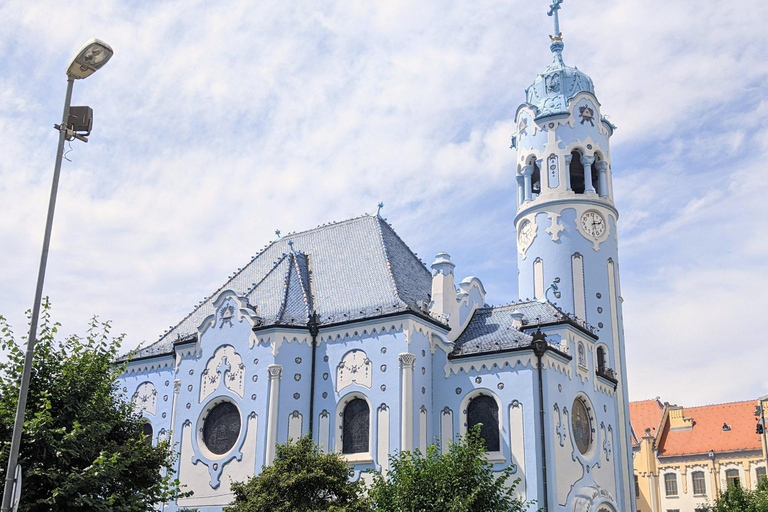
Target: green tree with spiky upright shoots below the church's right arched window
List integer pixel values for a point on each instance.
(460, 480)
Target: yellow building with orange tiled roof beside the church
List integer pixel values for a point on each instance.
(684, 458)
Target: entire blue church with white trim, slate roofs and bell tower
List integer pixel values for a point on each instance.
(342, 332)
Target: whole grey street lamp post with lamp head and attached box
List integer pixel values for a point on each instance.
(89, 59)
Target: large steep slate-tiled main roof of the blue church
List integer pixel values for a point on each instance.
(354, 269)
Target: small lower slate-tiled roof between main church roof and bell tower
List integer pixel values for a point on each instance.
(491, 328)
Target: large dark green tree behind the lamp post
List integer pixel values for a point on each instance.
(82, 446)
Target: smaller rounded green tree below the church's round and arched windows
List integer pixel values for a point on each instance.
(301, 479)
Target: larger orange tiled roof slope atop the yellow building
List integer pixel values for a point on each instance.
(708, 434)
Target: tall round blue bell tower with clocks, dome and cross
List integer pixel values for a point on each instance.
(566, 218)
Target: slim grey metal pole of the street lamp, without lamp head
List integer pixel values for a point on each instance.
(24, 388)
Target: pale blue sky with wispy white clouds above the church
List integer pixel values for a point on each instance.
(217, 123)
